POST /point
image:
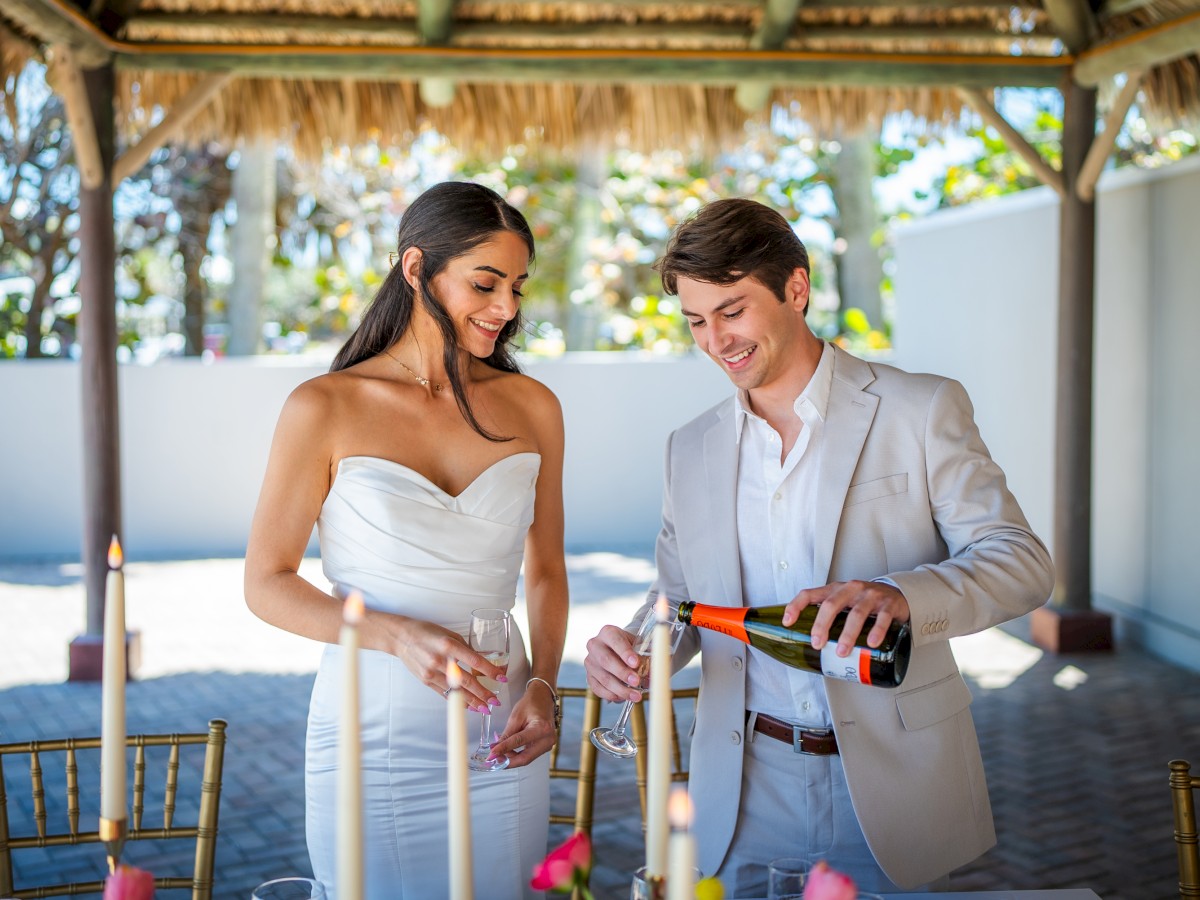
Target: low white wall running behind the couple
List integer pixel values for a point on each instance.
(195, 441)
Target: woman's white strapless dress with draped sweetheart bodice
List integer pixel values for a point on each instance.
(413, 549)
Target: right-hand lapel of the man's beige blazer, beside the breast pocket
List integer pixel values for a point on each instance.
(848, 423)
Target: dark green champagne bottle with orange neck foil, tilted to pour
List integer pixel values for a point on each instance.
(761, 627)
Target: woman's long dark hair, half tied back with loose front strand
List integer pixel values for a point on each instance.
(446, 223)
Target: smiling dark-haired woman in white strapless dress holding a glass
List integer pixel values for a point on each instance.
(428, 464)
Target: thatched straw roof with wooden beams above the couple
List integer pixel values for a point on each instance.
(565, 74)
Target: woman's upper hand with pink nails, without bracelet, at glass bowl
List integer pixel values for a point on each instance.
(427, 649)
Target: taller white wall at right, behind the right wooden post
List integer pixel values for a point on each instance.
(977, 299)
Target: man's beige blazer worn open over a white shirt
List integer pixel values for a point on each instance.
(909, 491)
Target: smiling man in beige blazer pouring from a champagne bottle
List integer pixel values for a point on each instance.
(836, 482)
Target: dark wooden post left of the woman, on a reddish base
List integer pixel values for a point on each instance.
(98, 370)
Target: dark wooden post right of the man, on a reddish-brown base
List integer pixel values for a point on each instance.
(1069, 623)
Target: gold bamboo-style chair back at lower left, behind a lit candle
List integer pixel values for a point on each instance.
(203, 833)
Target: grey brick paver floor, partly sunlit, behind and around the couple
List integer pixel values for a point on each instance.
(1076, 746)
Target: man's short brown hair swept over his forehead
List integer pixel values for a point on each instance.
(730, 241)
